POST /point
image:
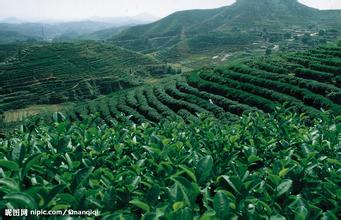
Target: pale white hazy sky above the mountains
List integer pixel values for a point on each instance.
(80, 9)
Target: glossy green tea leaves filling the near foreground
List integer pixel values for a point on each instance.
(266, 166)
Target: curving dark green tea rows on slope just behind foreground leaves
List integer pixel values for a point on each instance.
(307, 81)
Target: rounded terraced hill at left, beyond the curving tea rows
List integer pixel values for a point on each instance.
(56, 73)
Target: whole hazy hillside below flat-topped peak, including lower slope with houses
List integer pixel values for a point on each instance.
(230, 28)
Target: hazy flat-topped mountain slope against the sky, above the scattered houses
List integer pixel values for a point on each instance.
(251, 15)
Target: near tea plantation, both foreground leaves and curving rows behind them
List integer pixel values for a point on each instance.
(212, 144)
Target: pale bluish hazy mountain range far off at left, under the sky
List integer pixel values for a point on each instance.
(60, 31)
